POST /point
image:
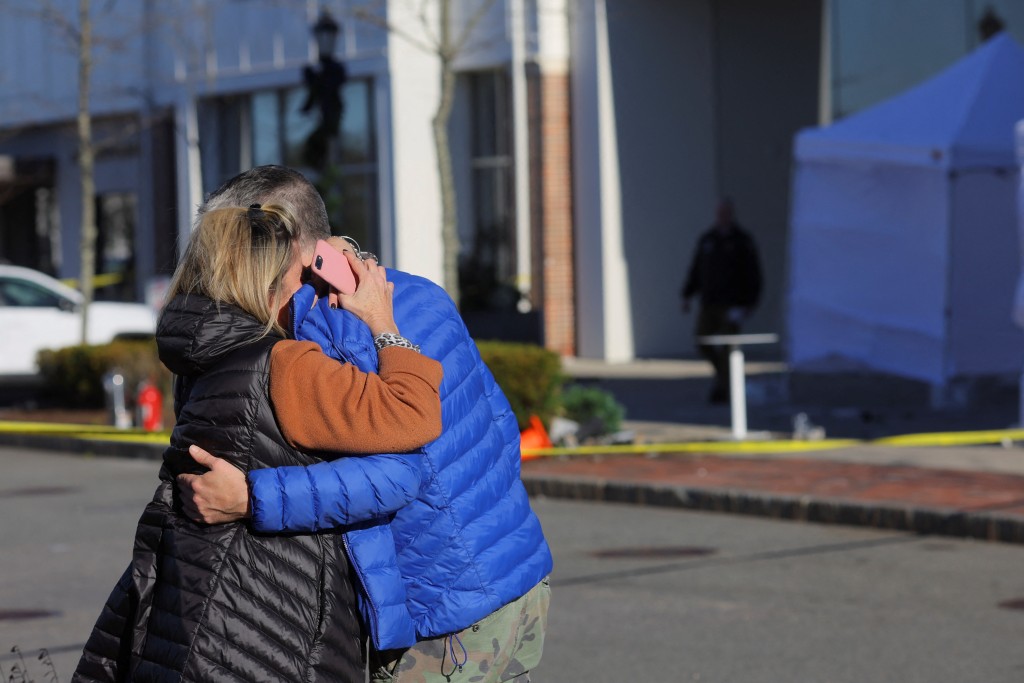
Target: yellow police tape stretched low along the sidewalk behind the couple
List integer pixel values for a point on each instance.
(109, 434)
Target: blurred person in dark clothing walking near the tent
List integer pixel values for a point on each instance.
(727, 274)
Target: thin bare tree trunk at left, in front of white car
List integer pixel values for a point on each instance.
(86, 164)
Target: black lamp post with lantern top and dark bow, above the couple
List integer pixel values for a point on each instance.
(324, 82)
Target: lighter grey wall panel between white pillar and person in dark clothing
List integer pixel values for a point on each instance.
(663, 70)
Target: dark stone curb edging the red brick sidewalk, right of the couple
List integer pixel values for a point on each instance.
(925, 521)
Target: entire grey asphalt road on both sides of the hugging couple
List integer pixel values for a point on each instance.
(639, 594)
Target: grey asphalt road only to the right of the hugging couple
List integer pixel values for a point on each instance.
(775, 603)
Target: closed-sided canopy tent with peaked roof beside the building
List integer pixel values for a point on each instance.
(904, 235)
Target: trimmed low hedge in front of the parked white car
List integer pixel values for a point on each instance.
(74, 376)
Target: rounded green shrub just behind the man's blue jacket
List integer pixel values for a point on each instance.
(531, 377)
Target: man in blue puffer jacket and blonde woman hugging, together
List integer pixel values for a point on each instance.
(336, 476)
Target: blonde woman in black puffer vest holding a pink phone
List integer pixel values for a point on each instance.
(224, 603)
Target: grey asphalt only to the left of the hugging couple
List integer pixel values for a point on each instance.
(67, 532)
